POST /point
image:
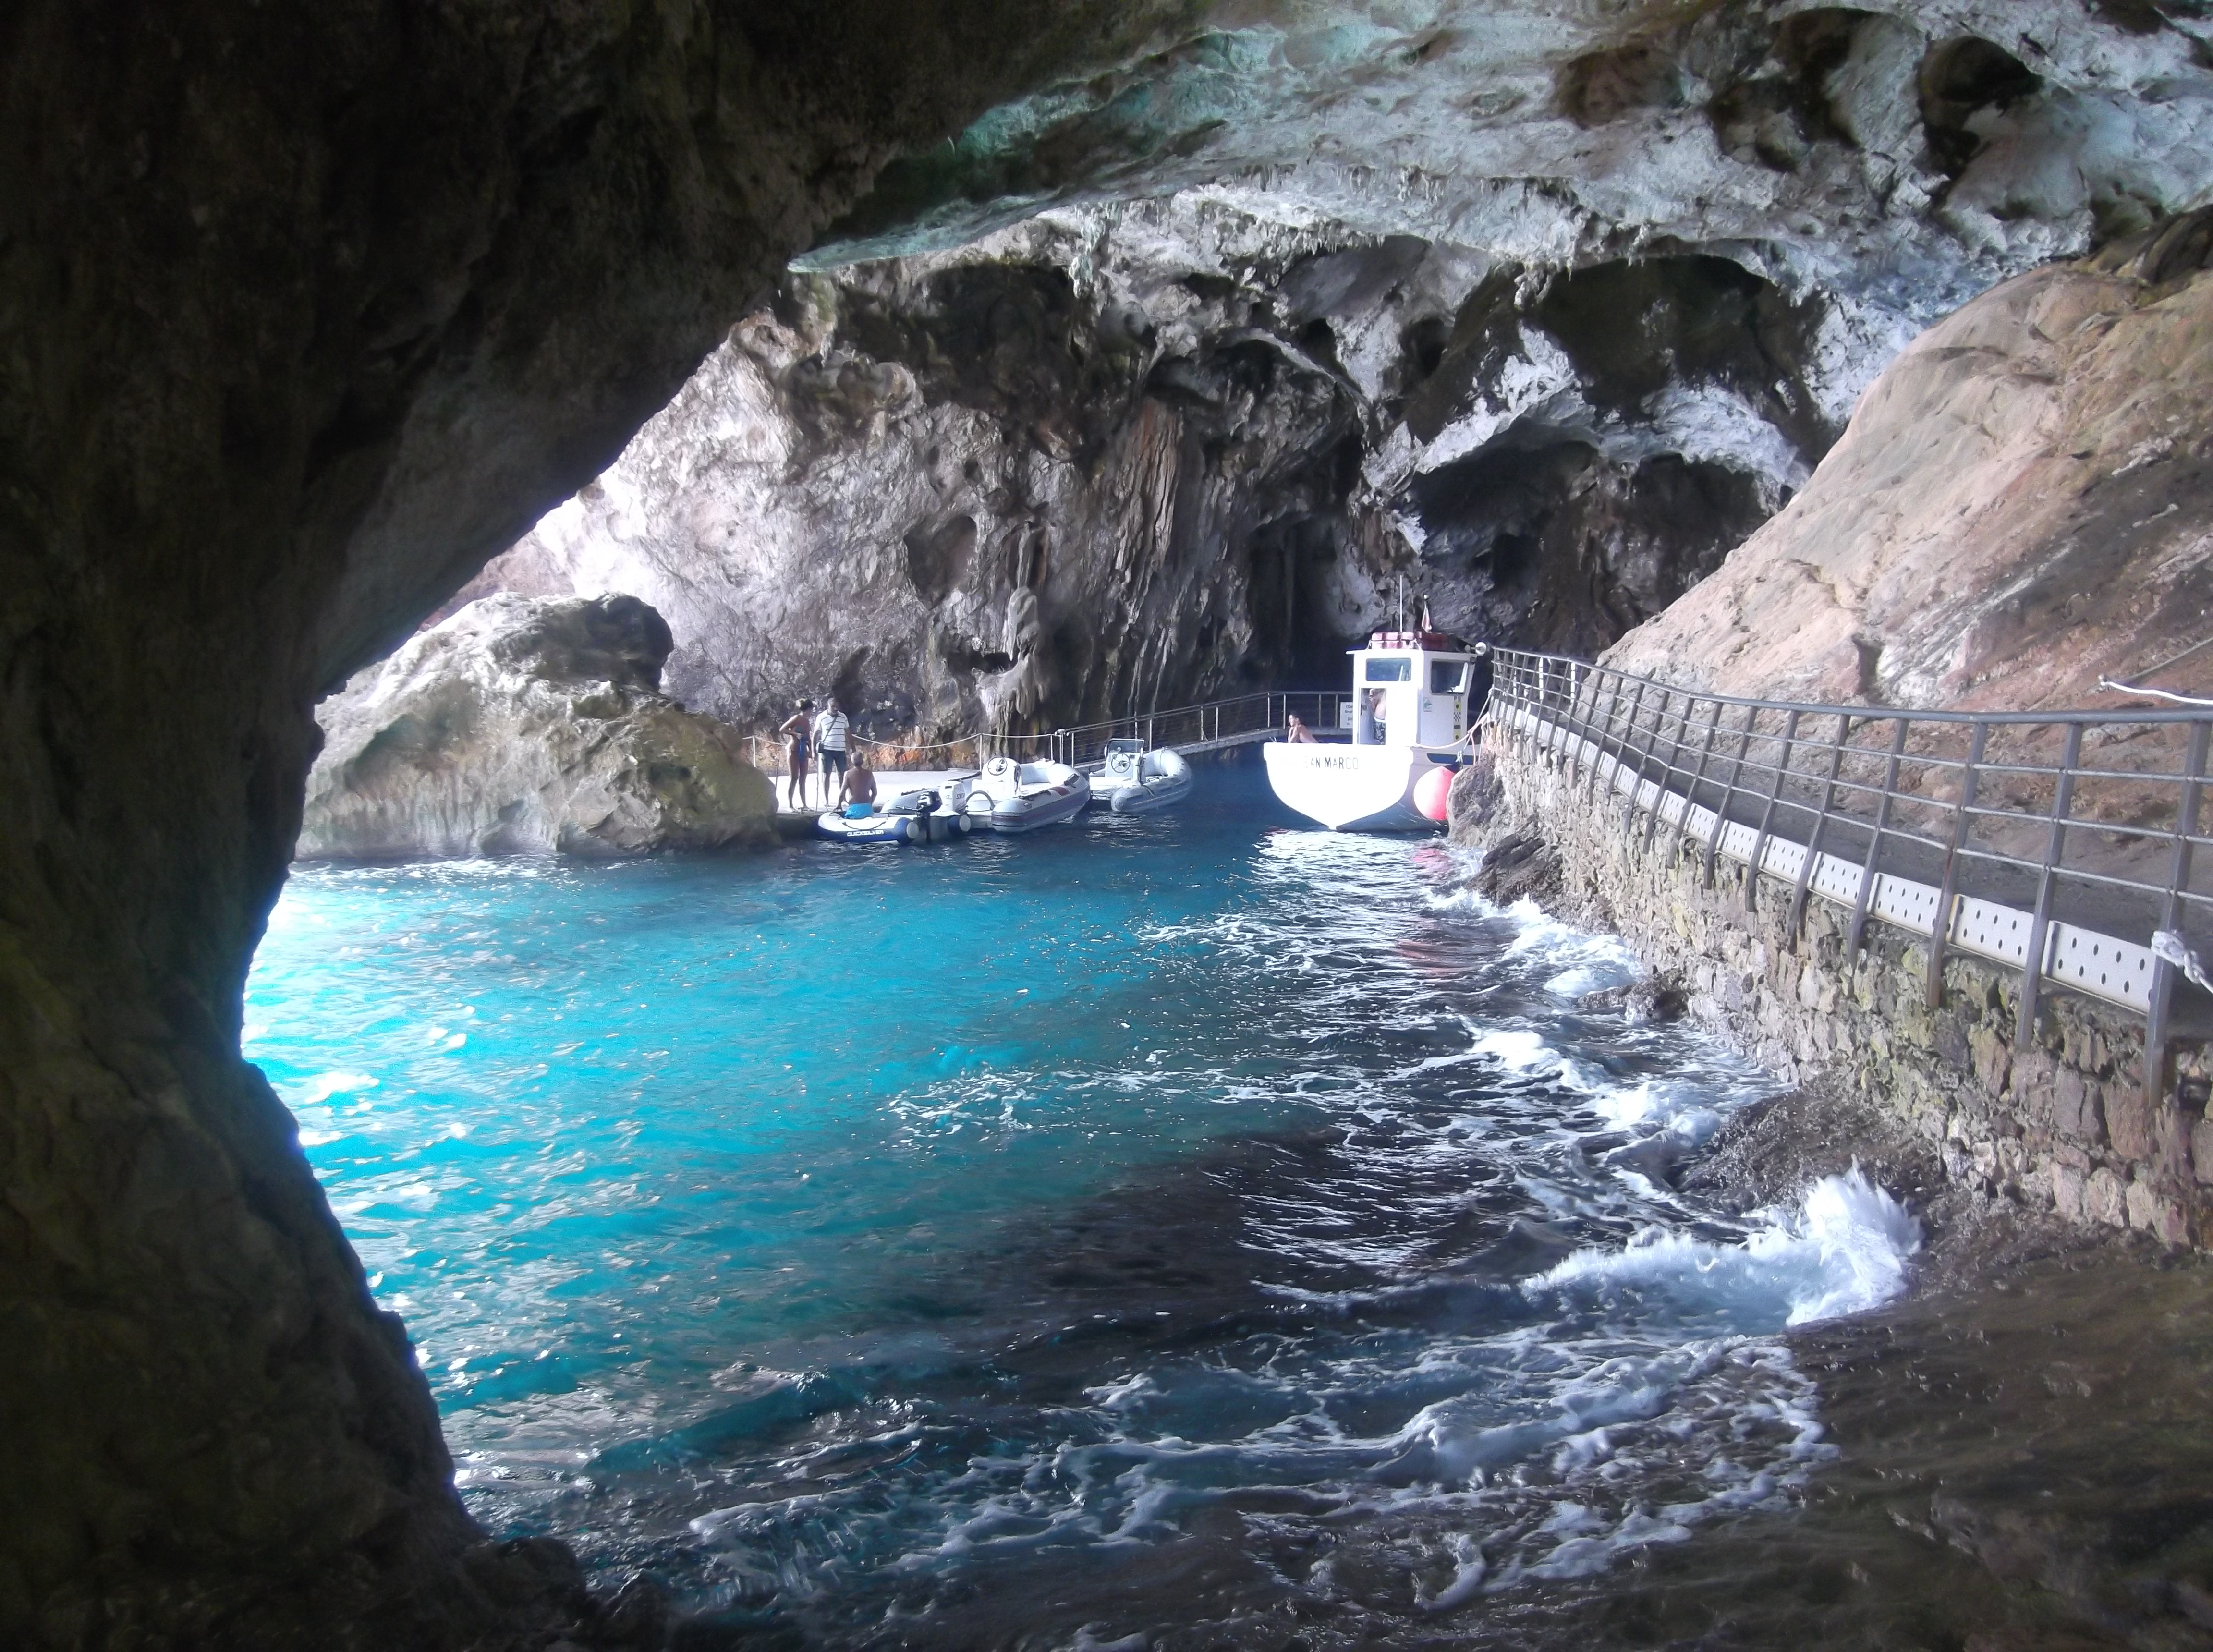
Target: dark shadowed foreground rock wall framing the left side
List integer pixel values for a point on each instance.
(302, 317)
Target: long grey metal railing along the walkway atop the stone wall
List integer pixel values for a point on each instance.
(2059, 844)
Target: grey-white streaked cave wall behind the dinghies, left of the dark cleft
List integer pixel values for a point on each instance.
(966, 496)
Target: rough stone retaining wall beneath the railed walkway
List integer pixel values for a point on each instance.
(2061, 1127)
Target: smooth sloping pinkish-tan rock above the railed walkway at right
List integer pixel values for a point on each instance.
(2022, 505)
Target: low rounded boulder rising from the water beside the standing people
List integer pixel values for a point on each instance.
(528, 726)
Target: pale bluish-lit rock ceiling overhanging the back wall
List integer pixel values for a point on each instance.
(1900, 154)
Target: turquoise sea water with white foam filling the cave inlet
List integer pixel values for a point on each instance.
(1172, 1231)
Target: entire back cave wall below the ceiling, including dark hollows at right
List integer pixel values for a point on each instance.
(1077, 470)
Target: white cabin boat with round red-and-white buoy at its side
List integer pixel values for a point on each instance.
(1409, 718)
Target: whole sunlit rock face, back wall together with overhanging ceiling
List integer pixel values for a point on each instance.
(1528, 311)
